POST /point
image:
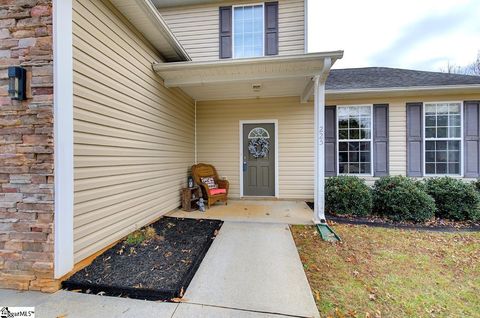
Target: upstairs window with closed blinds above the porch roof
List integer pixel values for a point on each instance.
(248, 31)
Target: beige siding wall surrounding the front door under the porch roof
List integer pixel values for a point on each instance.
(218, 140)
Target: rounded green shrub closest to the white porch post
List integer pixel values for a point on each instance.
(347, 195)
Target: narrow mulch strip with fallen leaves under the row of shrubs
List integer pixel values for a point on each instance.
(438, 225)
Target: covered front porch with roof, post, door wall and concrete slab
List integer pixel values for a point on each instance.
(234, 98)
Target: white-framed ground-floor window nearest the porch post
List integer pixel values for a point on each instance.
(354, 139)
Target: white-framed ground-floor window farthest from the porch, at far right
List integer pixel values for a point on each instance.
(443, 138)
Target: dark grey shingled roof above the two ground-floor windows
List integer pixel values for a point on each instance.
(385, 77)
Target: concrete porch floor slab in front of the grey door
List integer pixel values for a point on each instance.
(263, 211)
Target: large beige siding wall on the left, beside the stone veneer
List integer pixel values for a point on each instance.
(133, 138)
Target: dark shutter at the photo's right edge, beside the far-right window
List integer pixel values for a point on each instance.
(471, 144)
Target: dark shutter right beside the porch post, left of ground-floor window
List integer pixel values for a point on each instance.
(330, 141)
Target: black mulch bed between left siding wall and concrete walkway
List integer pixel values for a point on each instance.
(157, 269)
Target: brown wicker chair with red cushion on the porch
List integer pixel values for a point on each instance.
(203, 170)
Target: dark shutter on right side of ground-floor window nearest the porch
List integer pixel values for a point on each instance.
(380, 140)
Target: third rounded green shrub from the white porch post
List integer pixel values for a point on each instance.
(454, 199)
